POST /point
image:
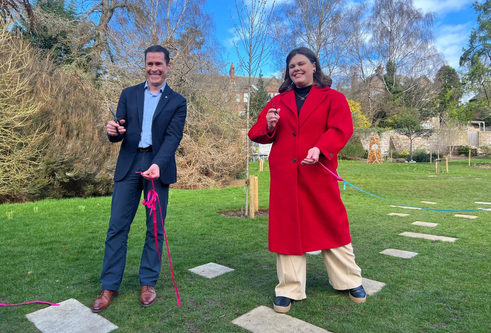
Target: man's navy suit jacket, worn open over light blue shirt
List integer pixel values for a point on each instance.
(167, 130)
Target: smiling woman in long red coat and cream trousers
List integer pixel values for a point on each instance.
(307, 123)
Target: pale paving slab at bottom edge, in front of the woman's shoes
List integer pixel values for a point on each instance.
(263, 319)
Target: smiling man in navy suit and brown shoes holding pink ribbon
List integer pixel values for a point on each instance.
(150, 122)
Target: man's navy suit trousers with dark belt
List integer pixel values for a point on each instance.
(125, 200)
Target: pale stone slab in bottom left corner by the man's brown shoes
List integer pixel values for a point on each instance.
(70, 316)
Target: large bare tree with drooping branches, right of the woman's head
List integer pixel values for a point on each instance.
(399, 37)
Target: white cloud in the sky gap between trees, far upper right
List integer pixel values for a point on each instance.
(450, 39)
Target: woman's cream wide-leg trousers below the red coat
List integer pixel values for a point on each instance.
(340, 264)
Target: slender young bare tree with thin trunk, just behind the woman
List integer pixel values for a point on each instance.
(252, 30)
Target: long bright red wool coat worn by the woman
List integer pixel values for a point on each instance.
(305, 208)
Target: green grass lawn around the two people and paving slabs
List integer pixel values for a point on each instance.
(52, 250)
